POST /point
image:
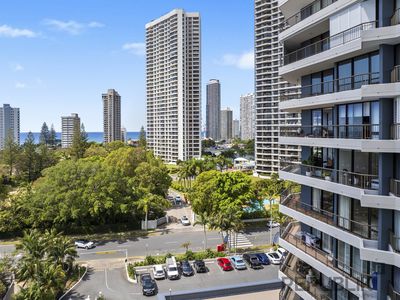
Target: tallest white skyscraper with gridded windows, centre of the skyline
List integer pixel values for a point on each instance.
(173, 86)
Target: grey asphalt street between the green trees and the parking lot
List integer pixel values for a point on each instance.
(159, 243)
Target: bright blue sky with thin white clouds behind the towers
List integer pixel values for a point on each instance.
(58, 56)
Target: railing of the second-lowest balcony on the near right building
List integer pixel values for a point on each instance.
(290, 235)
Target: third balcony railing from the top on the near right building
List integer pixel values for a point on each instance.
(334, 86)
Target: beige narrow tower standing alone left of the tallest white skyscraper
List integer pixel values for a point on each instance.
(111, 116)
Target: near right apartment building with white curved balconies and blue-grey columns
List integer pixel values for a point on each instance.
(344, 242)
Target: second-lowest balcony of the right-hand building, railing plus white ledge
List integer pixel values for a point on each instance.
(324, 262)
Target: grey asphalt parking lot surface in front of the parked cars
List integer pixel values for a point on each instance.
(113, 284)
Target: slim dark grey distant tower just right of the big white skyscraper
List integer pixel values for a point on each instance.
(213, 109)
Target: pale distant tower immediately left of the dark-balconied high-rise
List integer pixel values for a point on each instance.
(247, 116)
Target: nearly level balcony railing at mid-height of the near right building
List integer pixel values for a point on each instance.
(363, 131)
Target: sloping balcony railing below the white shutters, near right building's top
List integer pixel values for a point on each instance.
(328, 43)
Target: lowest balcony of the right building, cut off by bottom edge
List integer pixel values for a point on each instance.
(296, 271)
